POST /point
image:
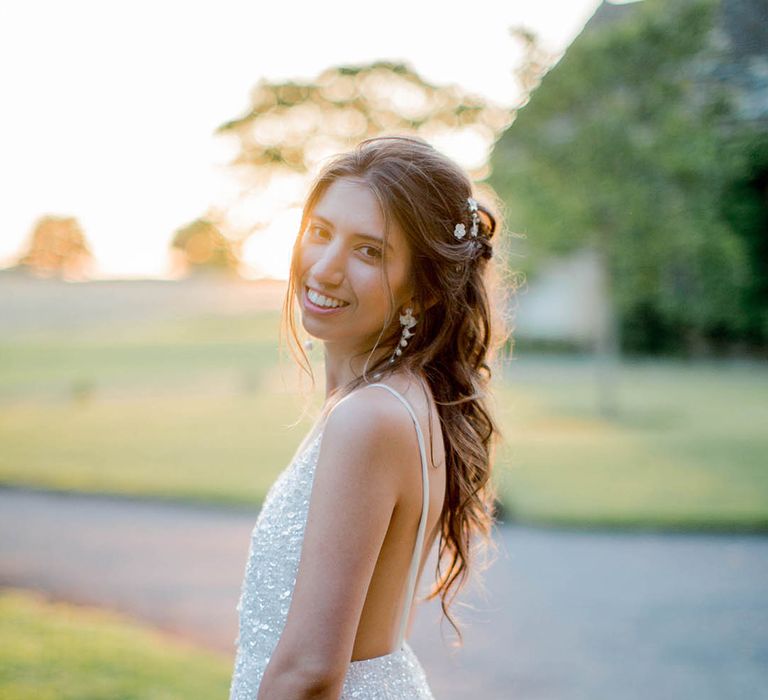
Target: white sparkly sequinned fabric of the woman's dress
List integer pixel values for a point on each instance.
(270, 575)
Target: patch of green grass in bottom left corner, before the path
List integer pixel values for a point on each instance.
(57, 651)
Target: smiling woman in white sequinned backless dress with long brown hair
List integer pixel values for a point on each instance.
(390, 270)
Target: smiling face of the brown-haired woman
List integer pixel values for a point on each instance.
(341, 256)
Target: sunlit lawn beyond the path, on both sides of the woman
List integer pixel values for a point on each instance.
(202, 409)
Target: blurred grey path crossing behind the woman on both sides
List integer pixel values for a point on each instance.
(568, 615)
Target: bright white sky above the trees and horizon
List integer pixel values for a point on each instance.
(109, 108)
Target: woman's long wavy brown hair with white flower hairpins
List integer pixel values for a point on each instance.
(462, 295)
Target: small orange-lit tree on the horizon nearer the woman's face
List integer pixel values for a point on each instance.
(203, 248)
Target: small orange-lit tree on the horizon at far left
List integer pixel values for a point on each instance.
(57, 248)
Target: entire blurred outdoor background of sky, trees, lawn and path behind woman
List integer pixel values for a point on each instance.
(154, 163)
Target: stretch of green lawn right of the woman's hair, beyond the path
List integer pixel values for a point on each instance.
(687, 449)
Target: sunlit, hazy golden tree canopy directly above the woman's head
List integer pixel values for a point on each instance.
(290, 126)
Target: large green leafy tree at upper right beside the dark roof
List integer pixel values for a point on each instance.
(622, 148)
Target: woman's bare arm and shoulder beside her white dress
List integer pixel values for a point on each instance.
(355, 490)
